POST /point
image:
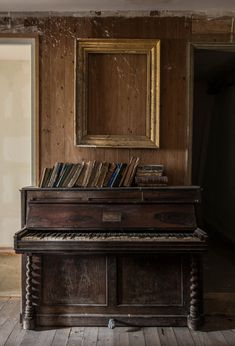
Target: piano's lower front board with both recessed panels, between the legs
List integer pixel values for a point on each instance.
(117, 284)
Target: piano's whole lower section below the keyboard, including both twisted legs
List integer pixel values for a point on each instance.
(73, 290)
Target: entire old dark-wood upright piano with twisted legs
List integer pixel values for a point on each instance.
(121, 256)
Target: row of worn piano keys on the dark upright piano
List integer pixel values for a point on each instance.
(111, 236)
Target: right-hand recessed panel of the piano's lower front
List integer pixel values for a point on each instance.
(157, 280)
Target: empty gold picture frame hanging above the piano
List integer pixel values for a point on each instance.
(147, 51)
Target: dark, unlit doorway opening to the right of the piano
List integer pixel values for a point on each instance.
(213, 159)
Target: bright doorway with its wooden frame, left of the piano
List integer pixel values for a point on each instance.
(18, 119)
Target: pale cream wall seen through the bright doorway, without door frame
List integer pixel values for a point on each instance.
(15, 142)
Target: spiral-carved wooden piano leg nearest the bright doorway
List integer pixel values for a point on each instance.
(28, 319)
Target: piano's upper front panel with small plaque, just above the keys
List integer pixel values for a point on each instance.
(116, 216)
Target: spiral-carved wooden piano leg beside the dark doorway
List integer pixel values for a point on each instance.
(195, 309)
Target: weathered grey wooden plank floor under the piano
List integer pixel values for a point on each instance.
(218, 330)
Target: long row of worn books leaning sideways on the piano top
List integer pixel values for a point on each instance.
(89, 174)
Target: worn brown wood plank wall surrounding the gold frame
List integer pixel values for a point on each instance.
(56, 85)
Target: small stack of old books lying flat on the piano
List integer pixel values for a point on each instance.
(150, 175)
